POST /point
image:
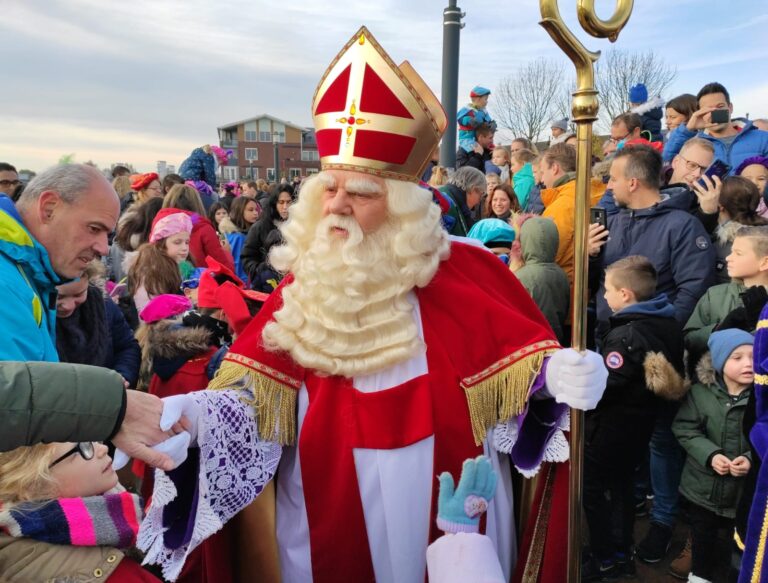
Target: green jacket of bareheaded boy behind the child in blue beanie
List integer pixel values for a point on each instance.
(711, 309)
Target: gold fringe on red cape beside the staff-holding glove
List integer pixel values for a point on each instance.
(503, 394)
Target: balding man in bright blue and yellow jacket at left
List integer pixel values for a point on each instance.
(59, 224)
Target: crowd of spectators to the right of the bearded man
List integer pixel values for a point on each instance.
(677, 280)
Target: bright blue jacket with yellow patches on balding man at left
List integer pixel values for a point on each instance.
(28, 291)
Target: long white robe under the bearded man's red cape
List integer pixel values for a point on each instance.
(396, 492)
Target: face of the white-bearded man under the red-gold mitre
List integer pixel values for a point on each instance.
(357, 195)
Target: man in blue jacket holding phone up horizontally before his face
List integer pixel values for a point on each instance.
(734, 141)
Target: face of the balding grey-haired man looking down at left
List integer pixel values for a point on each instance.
(74, 234)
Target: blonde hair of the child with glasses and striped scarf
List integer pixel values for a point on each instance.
(25, 475)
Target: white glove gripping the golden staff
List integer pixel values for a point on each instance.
(575, 379)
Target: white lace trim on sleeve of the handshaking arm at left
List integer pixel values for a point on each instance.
(234, 468)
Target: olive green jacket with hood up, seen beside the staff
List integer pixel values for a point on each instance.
(544, 279)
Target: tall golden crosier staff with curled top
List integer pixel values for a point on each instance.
(584, 113)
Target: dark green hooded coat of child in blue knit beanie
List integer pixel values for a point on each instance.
(708, 423)
